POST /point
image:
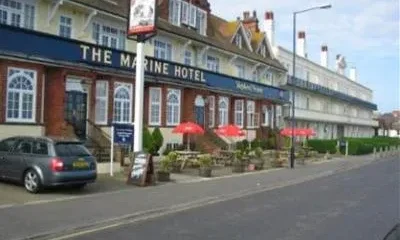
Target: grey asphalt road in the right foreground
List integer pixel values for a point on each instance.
(357, 204)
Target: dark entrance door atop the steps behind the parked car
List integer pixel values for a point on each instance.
(75, 112)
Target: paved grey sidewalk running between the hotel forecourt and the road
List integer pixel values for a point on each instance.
(20, 222)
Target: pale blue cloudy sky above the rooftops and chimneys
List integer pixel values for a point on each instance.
(366, 32)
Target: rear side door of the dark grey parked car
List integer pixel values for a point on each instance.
(15, 162)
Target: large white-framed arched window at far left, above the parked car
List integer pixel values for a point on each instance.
(21, 91)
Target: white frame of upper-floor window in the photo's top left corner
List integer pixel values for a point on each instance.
(21, 13)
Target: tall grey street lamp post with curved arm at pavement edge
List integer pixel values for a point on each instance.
(292, 155)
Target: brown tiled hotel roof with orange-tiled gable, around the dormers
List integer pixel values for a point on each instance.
(215, 37)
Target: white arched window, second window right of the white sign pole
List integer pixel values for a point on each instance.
(173, 107)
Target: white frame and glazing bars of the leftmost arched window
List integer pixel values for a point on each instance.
(21, 72)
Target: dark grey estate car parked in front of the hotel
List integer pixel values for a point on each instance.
(40, 162)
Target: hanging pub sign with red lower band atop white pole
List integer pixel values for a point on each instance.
(142, 17)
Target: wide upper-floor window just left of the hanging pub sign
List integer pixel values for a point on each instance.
(109, 36)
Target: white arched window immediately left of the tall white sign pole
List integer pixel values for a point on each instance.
(122, 104)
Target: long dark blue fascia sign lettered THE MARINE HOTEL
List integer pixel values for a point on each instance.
(50, 48)
